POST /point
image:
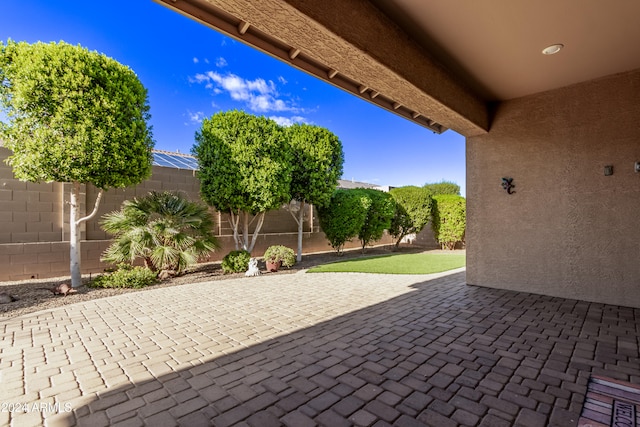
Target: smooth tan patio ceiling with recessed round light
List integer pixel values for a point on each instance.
(496, 45)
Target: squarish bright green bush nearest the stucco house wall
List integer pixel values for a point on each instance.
(449, 220)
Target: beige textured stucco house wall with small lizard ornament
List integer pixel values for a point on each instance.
(568, 230)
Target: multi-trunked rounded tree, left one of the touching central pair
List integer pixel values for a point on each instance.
(244, 169)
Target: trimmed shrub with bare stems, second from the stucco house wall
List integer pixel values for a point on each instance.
(413, 211)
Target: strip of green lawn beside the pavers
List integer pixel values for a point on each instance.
(423, 263)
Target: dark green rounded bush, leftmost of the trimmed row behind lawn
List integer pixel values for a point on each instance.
(343, 217)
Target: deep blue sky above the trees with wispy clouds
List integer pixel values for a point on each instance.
(192, 71)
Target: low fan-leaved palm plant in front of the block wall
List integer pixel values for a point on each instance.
(165, 229)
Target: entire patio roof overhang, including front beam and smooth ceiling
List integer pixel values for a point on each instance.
(443, 65)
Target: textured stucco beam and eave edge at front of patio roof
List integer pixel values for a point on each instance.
(354, 46)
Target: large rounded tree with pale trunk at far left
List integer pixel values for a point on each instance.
(76, 116)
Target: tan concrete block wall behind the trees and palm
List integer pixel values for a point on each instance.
(34, 223)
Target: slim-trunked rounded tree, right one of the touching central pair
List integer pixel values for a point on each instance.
(317, 166)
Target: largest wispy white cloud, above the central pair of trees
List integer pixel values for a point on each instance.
(258, 95)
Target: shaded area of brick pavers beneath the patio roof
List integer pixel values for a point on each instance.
(446, 354)
